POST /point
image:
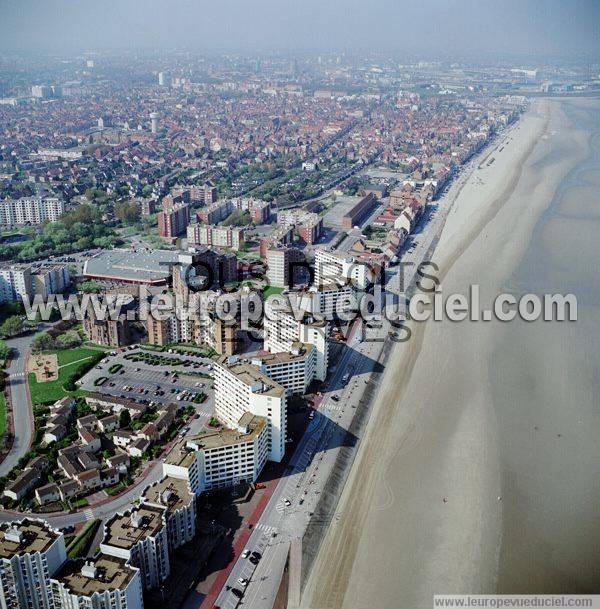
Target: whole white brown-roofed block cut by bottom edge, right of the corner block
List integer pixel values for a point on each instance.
(104, 582)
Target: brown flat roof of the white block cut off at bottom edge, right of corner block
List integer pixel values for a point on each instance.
(109, 573)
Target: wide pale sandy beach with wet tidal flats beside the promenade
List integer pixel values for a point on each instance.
(499, 419)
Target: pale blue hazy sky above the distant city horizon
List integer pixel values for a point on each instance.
(417, 26)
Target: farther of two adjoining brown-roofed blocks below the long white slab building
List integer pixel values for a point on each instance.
(175, 495)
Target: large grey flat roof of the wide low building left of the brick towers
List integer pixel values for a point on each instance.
(138, 266)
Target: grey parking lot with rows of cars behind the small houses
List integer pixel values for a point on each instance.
(135, 374)
